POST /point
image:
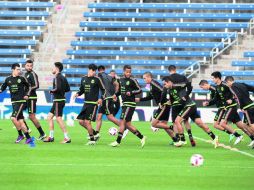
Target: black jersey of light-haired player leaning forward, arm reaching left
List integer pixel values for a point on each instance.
(154, 93)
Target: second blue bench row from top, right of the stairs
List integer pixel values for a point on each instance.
(115, 15)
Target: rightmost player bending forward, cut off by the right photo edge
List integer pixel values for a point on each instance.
(241, 92)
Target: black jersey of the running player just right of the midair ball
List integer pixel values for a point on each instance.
(129, 85)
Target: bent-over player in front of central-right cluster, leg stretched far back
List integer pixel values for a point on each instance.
(189, 110)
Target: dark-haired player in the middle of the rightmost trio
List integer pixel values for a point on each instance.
(230, 104)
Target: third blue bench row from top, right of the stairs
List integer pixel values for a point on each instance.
(196, 25)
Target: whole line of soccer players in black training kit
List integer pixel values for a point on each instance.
(103, 90)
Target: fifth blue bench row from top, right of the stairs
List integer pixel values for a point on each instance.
(148, 44)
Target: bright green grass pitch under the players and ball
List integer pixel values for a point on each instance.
(157, 166)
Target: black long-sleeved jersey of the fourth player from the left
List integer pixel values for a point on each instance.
(90, 87)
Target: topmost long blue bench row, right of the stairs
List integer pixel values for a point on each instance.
(173, 6)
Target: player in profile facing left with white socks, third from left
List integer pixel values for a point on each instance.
(60, 87)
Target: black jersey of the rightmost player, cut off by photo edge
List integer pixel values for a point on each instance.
(241, 92)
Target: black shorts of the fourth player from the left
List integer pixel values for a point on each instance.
(88, 112)
